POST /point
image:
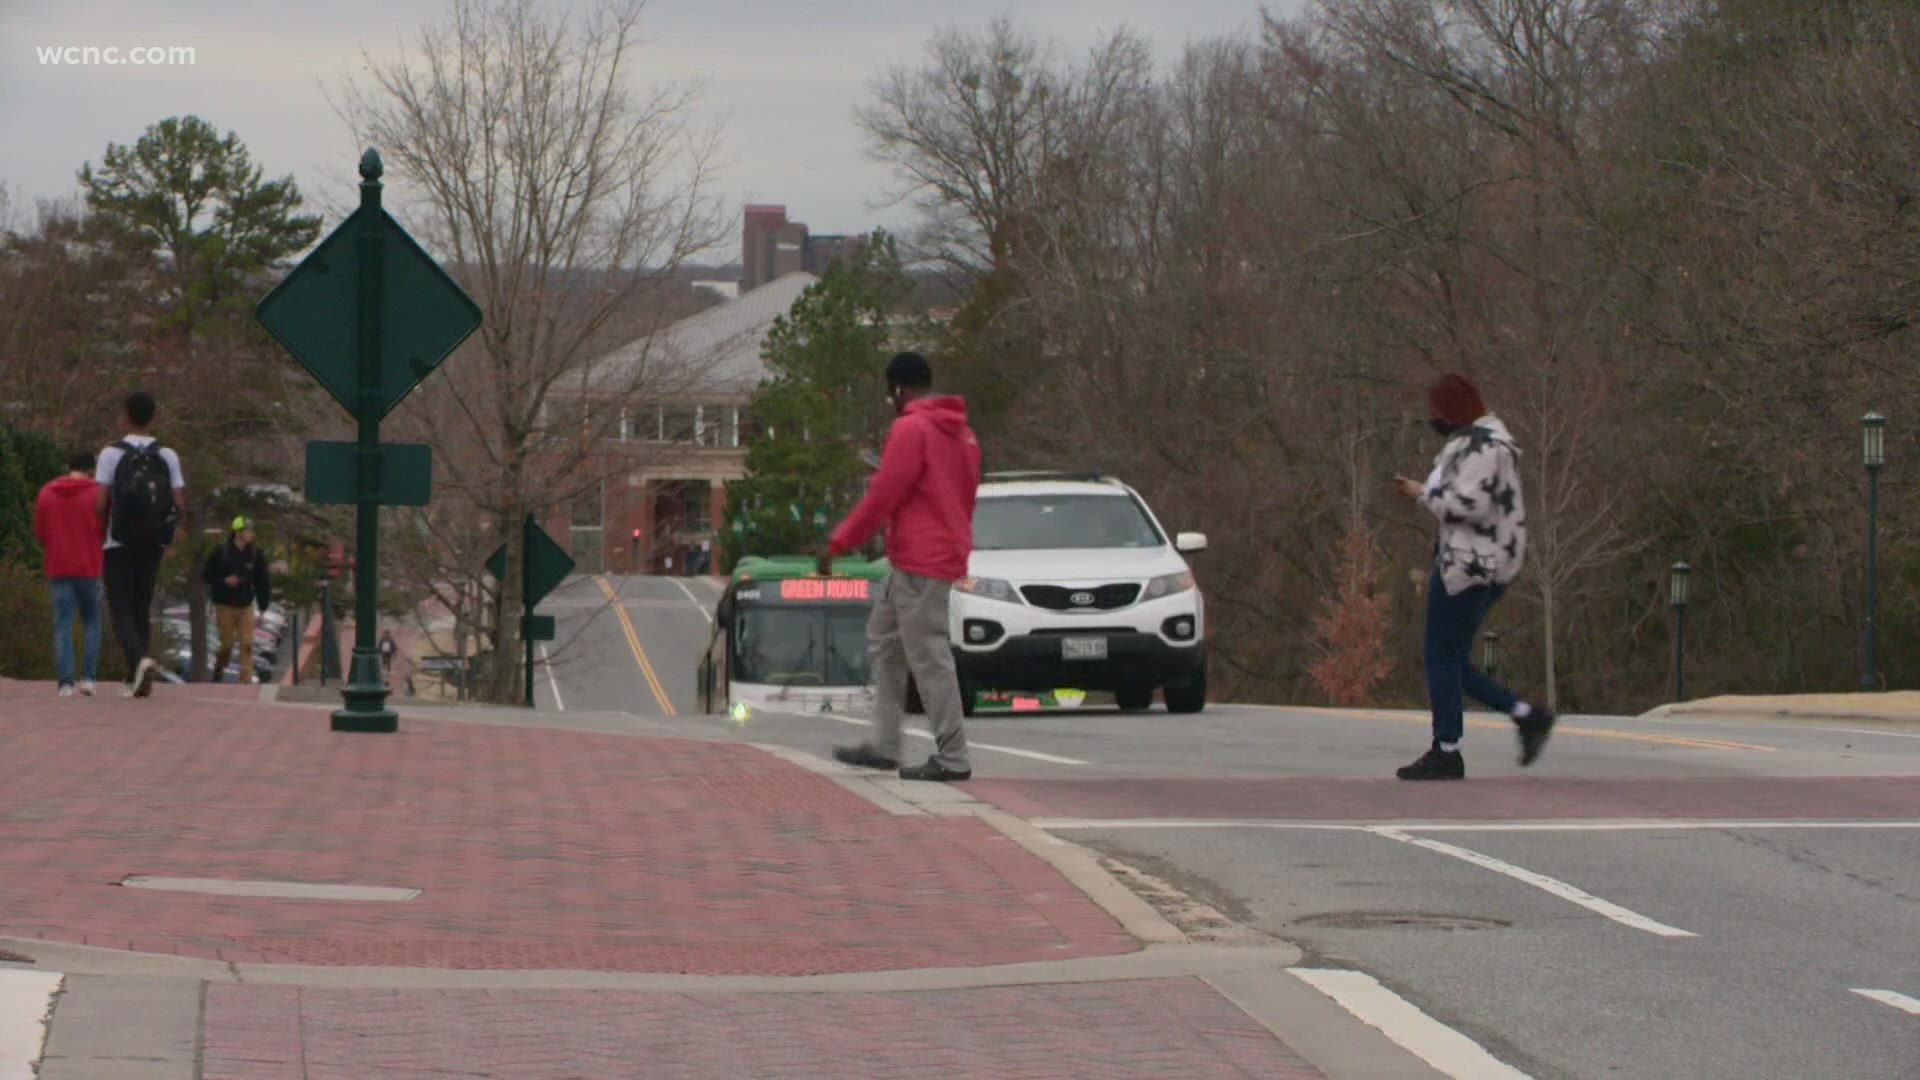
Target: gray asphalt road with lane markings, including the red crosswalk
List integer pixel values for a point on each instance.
(1654, 900)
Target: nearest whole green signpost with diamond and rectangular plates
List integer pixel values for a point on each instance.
(370, 314)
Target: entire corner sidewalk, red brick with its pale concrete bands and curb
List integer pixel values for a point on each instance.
(588, 906)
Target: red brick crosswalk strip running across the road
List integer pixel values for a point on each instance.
(1476, 800)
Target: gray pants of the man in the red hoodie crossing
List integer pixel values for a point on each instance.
(909, 635)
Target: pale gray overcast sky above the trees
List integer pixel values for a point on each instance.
(786, 74)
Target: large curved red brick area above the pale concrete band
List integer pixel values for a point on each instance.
(535, 848)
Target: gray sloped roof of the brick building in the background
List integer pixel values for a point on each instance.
(723, 343)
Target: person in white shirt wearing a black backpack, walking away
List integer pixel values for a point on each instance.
(143, 497)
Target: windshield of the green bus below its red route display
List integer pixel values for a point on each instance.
(800, 645)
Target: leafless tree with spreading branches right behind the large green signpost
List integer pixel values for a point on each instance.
(565, 201)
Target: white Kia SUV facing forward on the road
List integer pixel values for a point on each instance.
(1076, 585)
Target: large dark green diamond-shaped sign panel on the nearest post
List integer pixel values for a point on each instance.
(425, 314)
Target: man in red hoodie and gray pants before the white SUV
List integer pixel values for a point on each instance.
(923, 495)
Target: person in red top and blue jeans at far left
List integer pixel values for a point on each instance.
(66, 520)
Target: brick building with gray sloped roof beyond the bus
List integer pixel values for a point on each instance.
(675, 458)
